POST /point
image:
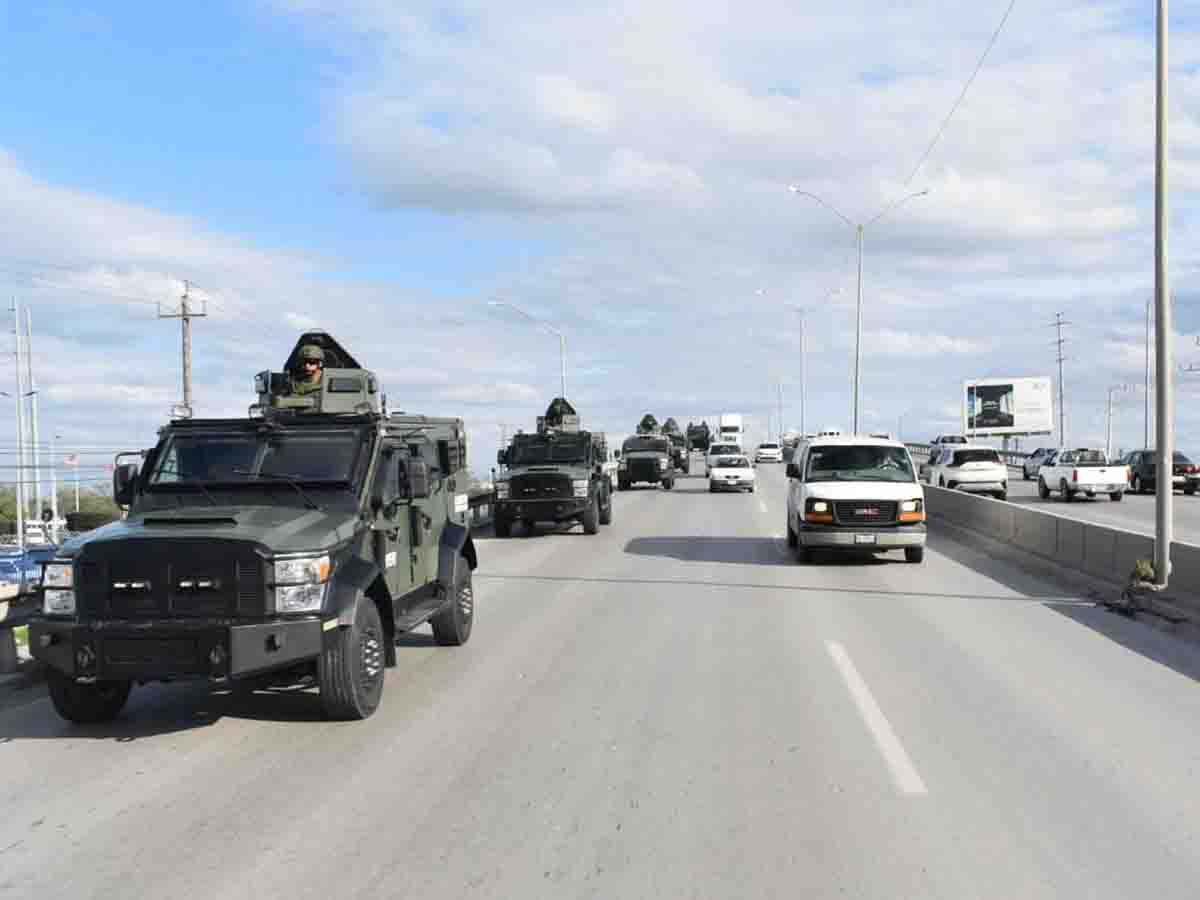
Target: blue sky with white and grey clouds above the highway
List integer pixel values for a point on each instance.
(385, 171)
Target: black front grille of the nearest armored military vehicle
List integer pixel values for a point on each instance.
(172, 579)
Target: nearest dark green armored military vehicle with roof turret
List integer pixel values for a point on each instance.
(291, 547)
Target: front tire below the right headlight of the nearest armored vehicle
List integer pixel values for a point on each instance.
(351, 670)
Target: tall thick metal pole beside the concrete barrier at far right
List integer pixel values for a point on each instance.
(1166, 443)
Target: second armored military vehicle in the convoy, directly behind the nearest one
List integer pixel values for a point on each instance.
(556, 475)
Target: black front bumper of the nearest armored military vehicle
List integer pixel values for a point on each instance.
(154, 651)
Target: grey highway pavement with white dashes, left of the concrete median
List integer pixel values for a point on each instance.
(673, 709)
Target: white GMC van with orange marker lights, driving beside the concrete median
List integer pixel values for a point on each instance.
(855, 494)
